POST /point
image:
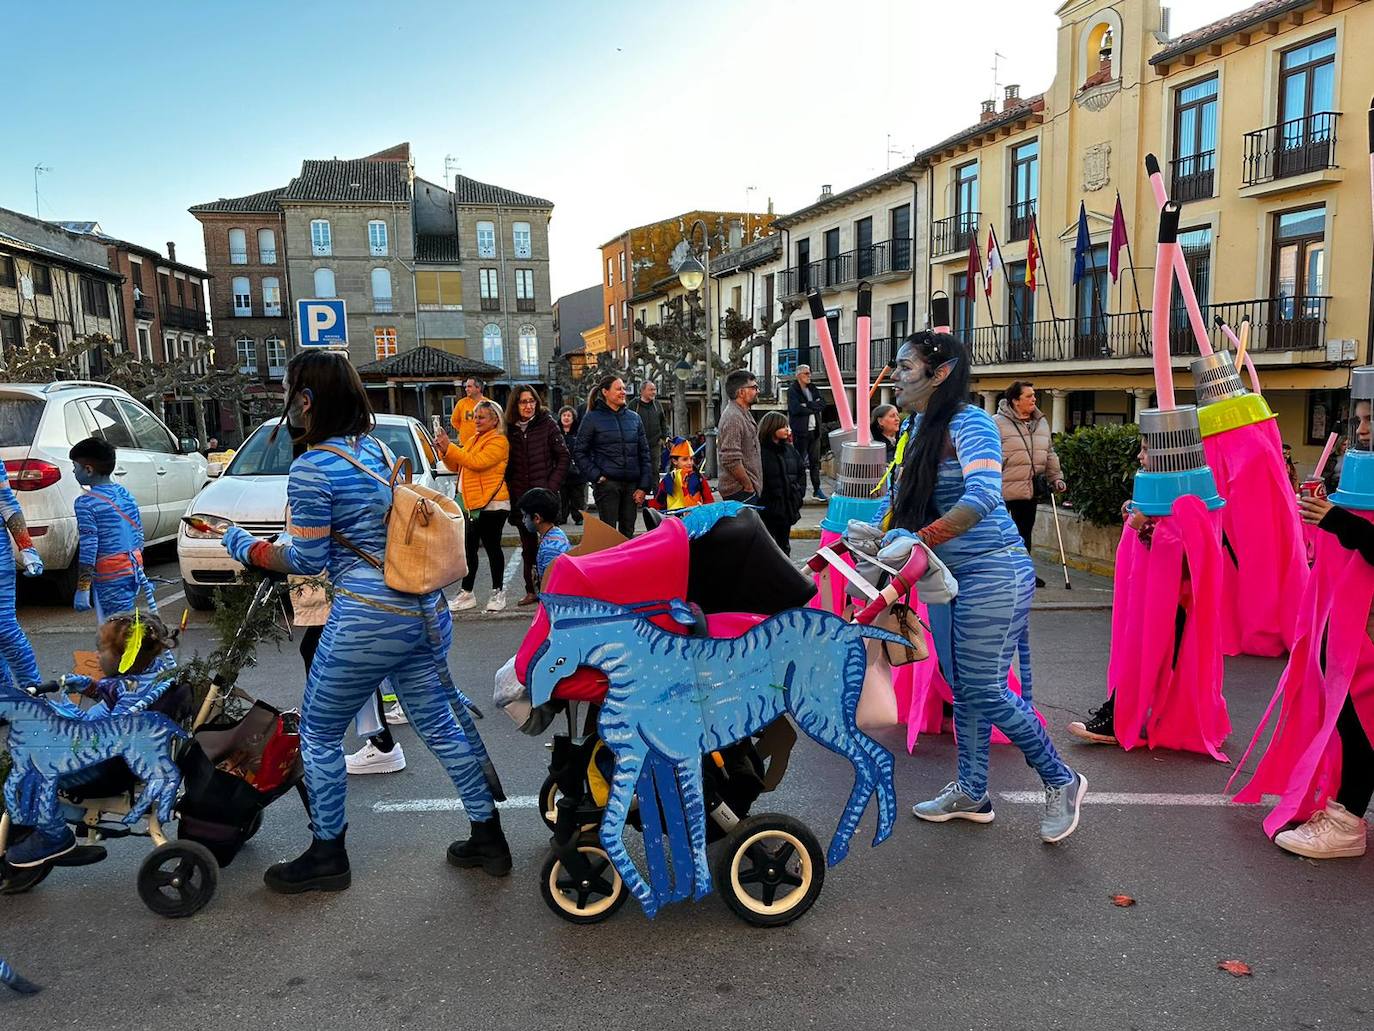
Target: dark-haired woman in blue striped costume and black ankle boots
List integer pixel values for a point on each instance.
(339, 498)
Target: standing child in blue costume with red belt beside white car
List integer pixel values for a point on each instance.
(111, 564)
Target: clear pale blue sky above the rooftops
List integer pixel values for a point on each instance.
(622, 113)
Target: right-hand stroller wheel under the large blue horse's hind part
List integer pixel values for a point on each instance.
(770, 869)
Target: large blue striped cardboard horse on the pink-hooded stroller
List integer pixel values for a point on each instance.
(675, 699)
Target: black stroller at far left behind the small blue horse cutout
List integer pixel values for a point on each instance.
(230, 769)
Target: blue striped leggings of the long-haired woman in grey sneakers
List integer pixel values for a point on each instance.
(987, 626)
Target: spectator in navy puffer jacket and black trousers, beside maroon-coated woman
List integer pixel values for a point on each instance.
(613, 454)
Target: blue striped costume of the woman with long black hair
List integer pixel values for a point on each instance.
(980, 633)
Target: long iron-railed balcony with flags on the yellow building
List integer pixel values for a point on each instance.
(1277, 325)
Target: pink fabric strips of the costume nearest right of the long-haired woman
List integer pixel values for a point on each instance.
(1159, 702)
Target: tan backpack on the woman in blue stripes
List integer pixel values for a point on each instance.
(425, 533)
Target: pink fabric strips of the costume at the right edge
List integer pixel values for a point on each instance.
(1303, 762)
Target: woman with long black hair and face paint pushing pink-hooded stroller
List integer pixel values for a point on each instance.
(950, 497)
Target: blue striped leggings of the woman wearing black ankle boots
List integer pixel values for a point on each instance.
(362, 647)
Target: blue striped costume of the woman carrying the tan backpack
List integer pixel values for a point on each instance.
(373, 633)
